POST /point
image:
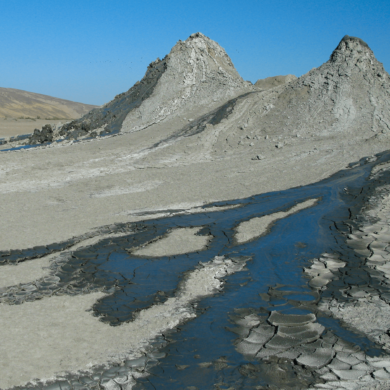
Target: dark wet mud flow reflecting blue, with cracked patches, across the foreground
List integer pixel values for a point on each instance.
(279, 255)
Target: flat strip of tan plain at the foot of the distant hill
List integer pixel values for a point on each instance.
(11, 127)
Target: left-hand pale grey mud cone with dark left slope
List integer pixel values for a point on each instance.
(195, 74)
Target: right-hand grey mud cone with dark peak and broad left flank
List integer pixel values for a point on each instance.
(345, 99)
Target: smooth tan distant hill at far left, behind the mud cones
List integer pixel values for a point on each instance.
(15, 103)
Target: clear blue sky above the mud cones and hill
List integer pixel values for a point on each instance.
(91, 50)
